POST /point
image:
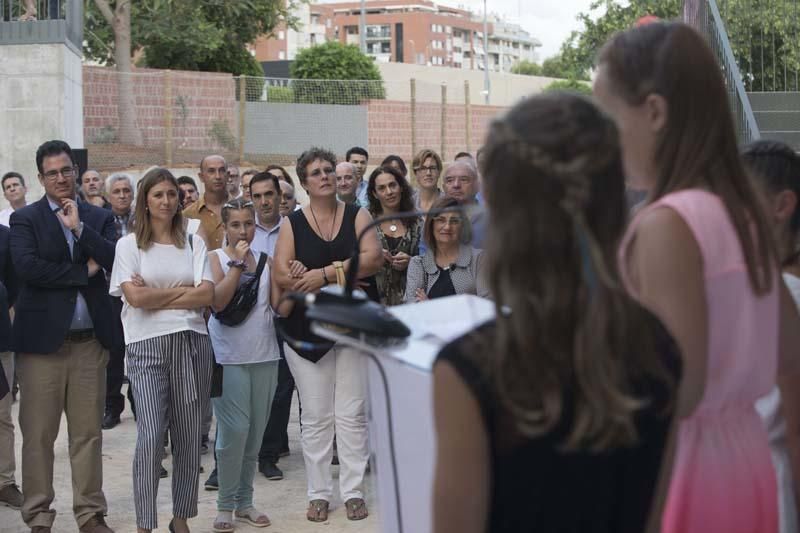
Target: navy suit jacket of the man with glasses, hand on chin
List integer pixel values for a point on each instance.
(50, 278)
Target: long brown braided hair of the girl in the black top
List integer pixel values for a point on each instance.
(574, 344)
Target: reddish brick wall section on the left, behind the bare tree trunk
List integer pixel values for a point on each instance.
(199, 99)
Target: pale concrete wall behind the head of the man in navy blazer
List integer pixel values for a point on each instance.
(40, 99)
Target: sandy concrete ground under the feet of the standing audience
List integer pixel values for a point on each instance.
(284, 501)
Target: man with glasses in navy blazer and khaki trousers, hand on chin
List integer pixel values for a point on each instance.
(62, 332)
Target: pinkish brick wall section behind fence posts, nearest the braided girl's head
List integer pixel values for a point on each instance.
(389, 125)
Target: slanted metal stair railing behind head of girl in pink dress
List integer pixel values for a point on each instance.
(705, 16)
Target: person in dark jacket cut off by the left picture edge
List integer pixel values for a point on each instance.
(10, 496)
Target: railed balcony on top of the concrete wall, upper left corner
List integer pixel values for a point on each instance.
(58, 21)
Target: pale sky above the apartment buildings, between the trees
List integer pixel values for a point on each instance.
(550, 21)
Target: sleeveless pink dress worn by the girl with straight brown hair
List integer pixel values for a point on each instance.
(723, 479)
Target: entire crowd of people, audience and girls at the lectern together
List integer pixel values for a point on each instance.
(642, 372)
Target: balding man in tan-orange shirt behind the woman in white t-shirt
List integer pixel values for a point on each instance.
(208, 209)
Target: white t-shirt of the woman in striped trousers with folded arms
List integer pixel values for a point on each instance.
(162, 266)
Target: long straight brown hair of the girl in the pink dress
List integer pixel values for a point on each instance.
(697, 148)
